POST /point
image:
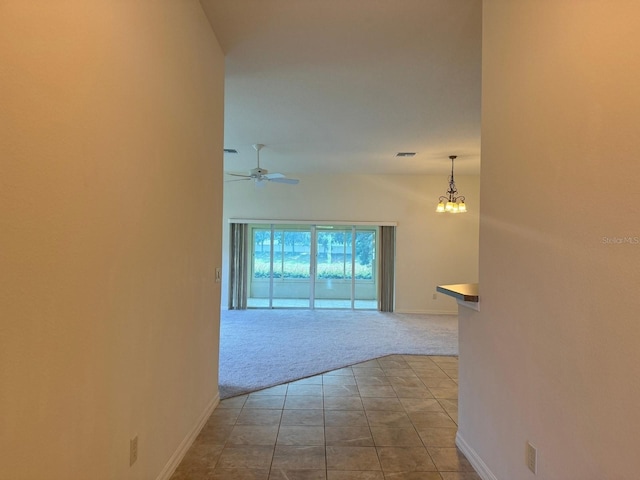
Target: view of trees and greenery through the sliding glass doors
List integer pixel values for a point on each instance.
(334, 249)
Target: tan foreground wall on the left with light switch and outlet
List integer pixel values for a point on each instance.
(110, 159)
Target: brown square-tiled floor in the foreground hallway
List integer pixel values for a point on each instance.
(393, 418)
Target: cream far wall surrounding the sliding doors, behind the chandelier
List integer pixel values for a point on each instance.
(431, 248)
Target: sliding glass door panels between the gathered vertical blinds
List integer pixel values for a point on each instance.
(313, 266)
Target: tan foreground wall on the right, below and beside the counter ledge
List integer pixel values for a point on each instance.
(552, 357)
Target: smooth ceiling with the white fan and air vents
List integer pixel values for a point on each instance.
(341, 86)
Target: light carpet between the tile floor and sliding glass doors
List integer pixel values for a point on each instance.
(262, 348)
